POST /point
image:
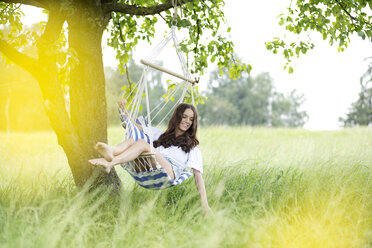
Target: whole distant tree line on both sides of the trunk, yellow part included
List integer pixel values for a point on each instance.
(247, 101)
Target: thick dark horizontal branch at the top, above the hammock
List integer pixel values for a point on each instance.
(142, 11)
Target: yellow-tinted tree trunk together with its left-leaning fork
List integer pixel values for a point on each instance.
(78, 133)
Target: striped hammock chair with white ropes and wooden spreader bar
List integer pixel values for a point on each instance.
(145, 170)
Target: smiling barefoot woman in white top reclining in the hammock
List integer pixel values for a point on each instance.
(175, 149)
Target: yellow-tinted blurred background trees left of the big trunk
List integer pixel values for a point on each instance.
(20, 98)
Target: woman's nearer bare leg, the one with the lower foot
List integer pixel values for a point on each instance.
(131, 153)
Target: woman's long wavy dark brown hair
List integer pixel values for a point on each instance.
(188, 139)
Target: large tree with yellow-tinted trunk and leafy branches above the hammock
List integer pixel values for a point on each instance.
(76, 60)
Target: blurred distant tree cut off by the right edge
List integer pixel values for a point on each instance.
(360, 112)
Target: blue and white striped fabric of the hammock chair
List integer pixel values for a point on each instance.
(155, 179)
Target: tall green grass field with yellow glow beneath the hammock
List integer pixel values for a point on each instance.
(267, 188)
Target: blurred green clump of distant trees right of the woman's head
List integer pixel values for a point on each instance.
(251, 101)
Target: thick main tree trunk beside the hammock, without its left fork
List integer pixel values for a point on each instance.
(87, 94)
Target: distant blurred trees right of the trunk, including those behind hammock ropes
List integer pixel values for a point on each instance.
(246, 101)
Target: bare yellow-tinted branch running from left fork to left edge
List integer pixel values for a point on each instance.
(18, 58)
